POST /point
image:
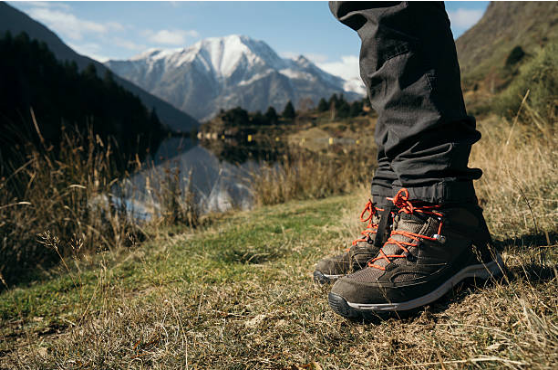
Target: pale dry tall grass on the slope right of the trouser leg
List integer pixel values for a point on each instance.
(519, 188)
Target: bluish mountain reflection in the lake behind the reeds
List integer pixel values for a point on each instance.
(218, 185)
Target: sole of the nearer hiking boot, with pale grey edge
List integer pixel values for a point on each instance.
(359, 310)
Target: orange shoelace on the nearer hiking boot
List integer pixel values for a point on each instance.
(401, 201)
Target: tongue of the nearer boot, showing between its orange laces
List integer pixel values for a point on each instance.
(408, 223)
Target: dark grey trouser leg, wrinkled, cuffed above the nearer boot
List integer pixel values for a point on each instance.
(409, 64)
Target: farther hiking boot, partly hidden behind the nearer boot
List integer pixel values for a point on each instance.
(361, 251)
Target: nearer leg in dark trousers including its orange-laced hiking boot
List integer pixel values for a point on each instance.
(409, 64)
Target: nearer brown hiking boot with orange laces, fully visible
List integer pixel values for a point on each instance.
(430, 249)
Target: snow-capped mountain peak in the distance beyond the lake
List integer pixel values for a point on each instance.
(225, 72)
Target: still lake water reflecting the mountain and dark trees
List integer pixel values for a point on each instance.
(217, 171)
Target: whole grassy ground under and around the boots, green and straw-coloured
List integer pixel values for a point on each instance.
(237, 293)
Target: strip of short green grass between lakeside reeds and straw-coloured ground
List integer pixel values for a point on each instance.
(218, 255)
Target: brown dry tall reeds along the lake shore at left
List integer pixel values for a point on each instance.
(71, 203)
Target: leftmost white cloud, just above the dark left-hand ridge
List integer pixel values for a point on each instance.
(71, 26)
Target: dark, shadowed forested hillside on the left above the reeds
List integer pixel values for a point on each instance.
(61, 96)
